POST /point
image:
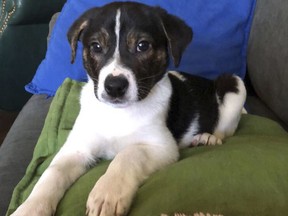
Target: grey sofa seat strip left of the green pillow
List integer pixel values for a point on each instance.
(17, 149)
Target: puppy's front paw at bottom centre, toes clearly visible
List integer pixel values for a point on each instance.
(110, 197)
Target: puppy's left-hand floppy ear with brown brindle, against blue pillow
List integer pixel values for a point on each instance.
(75, 31)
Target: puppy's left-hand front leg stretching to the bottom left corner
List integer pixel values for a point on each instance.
(67, 166)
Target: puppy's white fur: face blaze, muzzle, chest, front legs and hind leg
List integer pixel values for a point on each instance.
(135, 135)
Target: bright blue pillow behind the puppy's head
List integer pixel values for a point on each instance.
(221, 30)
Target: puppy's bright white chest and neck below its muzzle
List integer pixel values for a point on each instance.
(114, 128)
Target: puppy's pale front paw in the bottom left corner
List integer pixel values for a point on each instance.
(34, 207)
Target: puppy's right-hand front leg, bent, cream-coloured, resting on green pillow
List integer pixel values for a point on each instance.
(114, 191)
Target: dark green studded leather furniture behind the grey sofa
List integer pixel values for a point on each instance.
(23, 31)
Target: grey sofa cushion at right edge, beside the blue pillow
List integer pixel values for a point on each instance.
(268, 54)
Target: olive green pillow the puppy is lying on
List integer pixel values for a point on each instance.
(247, 175)
